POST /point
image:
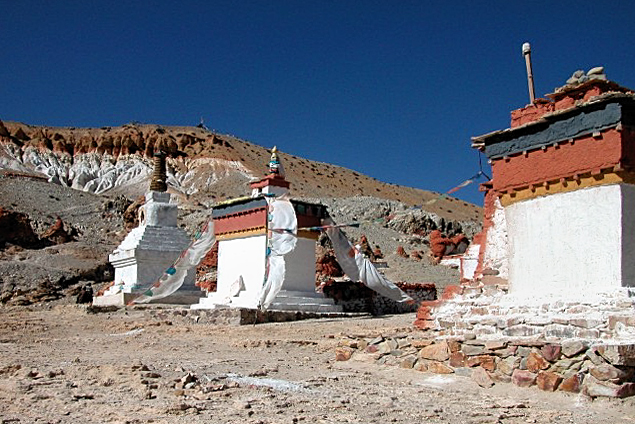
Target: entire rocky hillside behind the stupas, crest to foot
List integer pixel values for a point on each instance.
(68, 196)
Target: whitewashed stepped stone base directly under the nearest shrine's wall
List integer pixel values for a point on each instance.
(490, 313)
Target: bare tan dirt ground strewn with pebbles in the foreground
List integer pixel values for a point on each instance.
(60, 364)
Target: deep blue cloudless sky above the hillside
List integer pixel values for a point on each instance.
(392, 89)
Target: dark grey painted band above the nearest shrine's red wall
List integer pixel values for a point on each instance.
(586, 122)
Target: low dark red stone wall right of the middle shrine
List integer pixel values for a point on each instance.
(356, 297)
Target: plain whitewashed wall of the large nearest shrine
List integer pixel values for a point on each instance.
(574, 243)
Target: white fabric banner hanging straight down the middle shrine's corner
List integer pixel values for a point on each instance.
(281, 239)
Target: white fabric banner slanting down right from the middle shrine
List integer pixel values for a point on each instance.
(359, 268)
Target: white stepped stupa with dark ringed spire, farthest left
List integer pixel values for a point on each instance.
(151, 248)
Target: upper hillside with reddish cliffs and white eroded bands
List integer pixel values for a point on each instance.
(203, 166)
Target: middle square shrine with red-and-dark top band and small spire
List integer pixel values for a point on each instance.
(243, 231)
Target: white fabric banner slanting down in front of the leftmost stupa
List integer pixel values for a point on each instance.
(173, 278)
